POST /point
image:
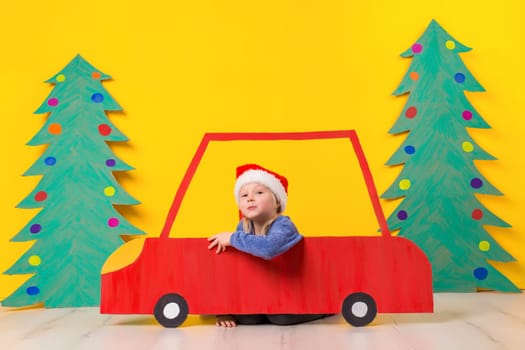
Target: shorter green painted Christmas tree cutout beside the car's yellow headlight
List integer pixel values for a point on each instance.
(78, 226)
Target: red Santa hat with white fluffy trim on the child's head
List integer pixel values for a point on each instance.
(255, 173)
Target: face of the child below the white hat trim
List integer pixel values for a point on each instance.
(257, 202)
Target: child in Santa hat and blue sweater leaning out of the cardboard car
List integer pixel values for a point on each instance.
(261, 196)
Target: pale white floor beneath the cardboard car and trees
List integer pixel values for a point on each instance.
(479, 321)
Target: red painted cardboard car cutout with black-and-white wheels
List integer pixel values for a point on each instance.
(358, 276)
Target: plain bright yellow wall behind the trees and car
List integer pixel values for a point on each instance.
(183, 68)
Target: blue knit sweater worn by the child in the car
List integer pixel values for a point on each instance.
(281, 236)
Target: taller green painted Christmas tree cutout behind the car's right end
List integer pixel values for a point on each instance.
(439, 181)
